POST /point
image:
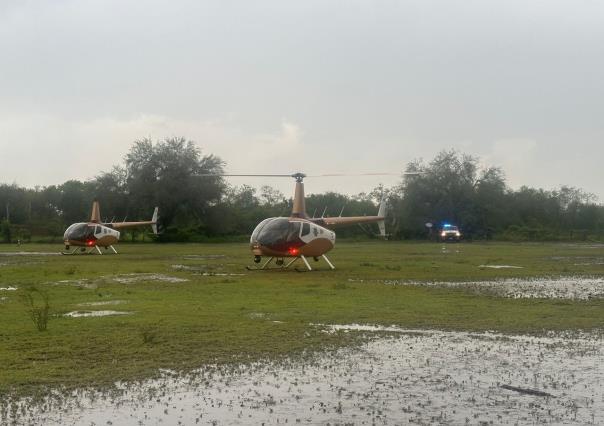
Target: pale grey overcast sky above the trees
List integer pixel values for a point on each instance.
(316, 86)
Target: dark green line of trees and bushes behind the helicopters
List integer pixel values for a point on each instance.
(197, 205)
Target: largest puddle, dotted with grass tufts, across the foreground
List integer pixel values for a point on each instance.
(422, 377)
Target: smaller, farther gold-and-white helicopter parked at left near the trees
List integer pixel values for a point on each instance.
(87, 237)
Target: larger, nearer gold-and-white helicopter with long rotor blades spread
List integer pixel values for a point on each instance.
(299, 237)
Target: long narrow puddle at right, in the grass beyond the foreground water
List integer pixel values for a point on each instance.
(576, 288)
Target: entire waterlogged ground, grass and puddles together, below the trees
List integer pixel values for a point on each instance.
(197, 310)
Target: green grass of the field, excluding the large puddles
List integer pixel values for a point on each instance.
(223, 313)
